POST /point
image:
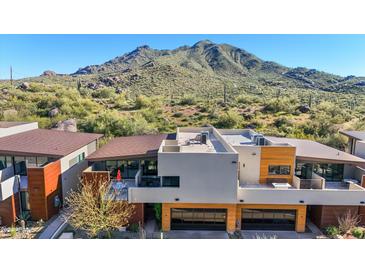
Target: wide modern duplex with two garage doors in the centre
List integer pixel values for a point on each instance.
(218, 179)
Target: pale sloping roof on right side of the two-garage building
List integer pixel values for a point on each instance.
(314, 151)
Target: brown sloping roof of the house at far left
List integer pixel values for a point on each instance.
(45, 142)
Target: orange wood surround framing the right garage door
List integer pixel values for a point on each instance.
(301, 215)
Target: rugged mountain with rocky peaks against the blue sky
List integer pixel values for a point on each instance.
(214, 64)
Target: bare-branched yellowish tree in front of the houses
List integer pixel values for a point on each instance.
(95, 210)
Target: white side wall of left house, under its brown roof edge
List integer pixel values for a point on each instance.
(71, 175)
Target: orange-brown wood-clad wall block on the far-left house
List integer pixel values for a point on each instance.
(43, 185)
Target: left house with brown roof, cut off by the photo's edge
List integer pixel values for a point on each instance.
(38, 167)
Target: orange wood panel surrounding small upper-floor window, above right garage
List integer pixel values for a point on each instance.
(271, 155)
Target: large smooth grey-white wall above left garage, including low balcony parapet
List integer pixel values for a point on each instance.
(204, 178)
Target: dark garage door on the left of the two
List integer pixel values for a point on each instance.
(198, 219)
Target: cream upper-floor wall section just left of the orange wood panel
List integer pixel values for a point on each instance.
(249, 161)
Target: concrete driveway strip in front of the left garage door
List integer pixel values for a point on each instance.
(195, 234)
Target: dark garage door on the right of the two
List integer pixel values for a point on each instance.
(268, 219)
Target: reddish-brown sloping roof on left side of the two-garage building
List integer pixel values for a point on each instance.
(128, 147)
